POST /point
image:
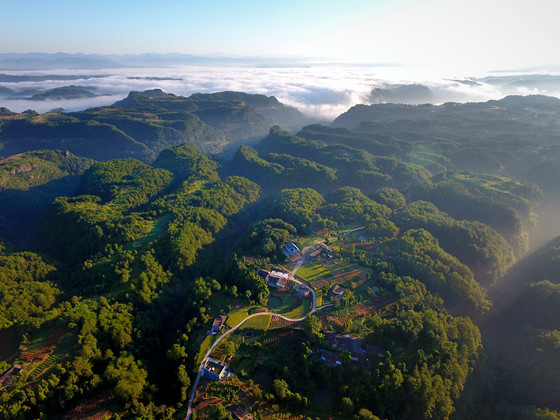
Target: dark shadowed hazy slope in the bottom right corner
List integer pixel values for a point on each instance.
(523, 333)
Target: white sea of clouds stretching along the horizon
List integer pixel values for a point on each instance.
(321, 91)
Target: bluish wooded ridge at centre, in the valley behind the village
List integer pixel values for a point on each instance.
(325, 167)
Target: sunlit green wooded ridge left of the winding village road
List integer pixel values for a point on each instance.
(137, 252)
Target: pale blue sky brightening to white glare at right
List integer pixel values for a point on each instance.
(459, 33)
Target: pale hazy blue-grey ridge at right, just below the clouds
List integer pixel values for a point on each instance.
(514, 136)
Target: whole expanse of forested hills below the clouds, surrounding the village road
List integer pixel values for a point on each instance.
(121, 248)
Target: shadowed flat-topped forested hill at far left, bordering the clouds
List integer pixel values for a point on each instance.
(144, 123)
